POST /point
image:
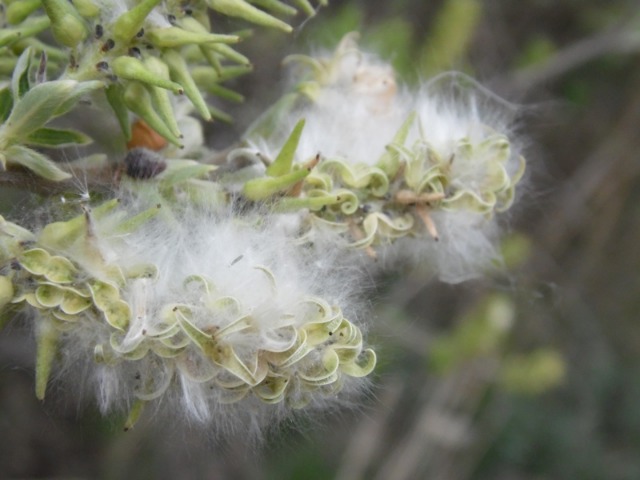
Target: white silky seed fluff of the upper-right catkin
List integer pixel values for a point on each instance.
(355, 115)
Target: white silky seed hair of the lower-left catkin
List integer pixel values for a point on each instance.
(258, 266)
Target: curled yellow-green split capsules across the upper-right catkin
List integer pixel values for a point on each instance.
(376, 204)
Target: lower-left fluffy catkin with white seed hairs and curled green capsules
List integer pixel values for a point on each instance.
(208, 317)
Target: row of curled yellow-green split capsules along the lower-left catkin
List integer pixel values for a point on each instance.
(290, 355)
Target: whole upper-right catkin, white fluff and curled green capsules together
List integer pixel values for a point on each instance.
(420, 176)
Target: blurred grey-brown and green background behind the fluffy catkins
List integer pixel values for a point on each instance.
(530, 374)
